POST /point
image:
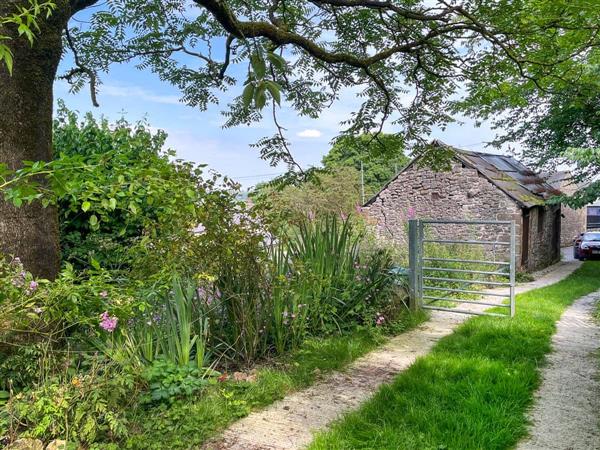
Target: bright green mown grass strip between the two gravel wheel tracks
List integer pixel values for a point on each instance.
(473, 390)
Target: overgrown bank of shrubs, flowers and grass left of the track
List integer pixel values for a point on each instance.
(177, 307)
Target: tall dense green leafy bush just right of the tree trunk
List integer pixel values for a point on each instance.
(127, 187)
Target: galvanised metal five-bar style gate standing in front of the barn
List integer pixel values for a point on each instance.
(423, 285)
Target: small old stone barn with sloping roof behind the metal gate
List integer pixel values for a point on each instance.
(479, 186)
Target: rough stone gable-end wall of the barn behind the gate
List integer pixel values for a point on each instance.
(460, 194)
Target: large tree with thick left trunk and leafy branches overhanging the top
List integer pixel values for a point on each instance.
(407, 59)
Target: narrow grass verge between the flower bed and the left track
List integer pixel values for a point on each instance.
(187, 424)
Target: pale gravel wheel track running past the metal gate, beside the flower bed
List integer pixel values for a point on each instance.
(291, 422)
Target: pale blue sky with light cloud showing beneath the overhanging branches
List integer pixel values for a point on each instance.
(198, 135)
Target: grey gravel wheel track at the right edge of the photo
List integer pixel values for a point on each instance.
(566, 411)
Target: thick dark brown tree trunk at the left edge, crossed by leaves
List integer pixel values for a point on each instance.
(26, 101)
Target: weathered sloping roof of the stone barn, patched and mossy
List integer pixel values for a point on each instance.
(519, 182)
